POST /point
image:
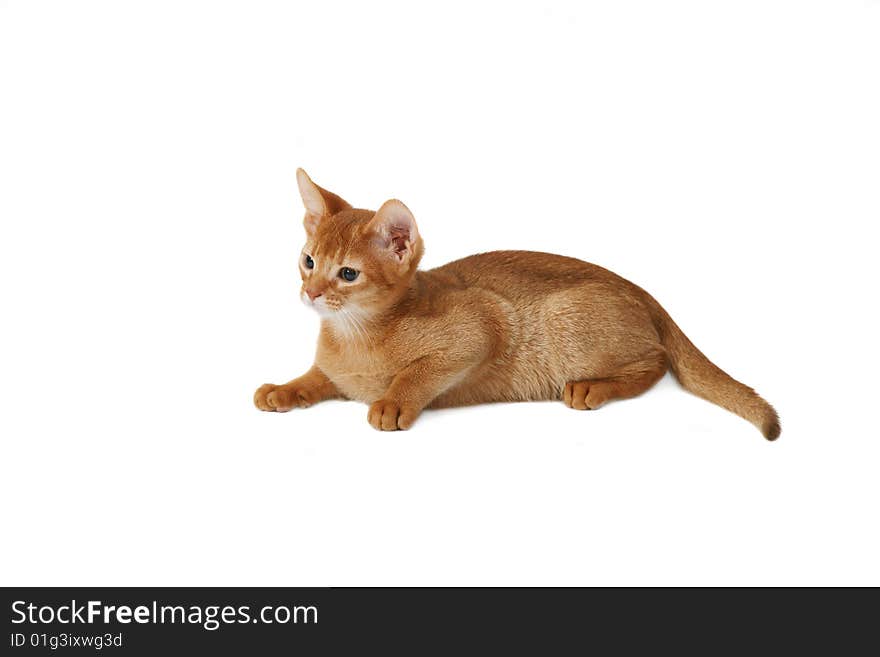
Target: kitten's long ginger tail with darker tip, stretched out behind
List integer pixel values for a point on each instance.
(702, 377)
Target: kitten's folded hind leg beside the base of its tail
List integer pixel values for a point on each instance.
(625, 381)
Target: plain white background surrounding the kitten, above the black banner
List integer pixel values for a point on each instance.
(724, 155)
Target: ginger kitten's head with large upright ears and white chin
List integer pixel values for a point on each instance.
(355, 263)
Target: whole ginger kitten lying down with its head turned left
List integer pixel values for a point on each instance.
(499, 326)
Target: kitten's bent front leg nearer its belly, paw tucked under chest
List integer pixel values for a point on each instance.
(414, 387)
